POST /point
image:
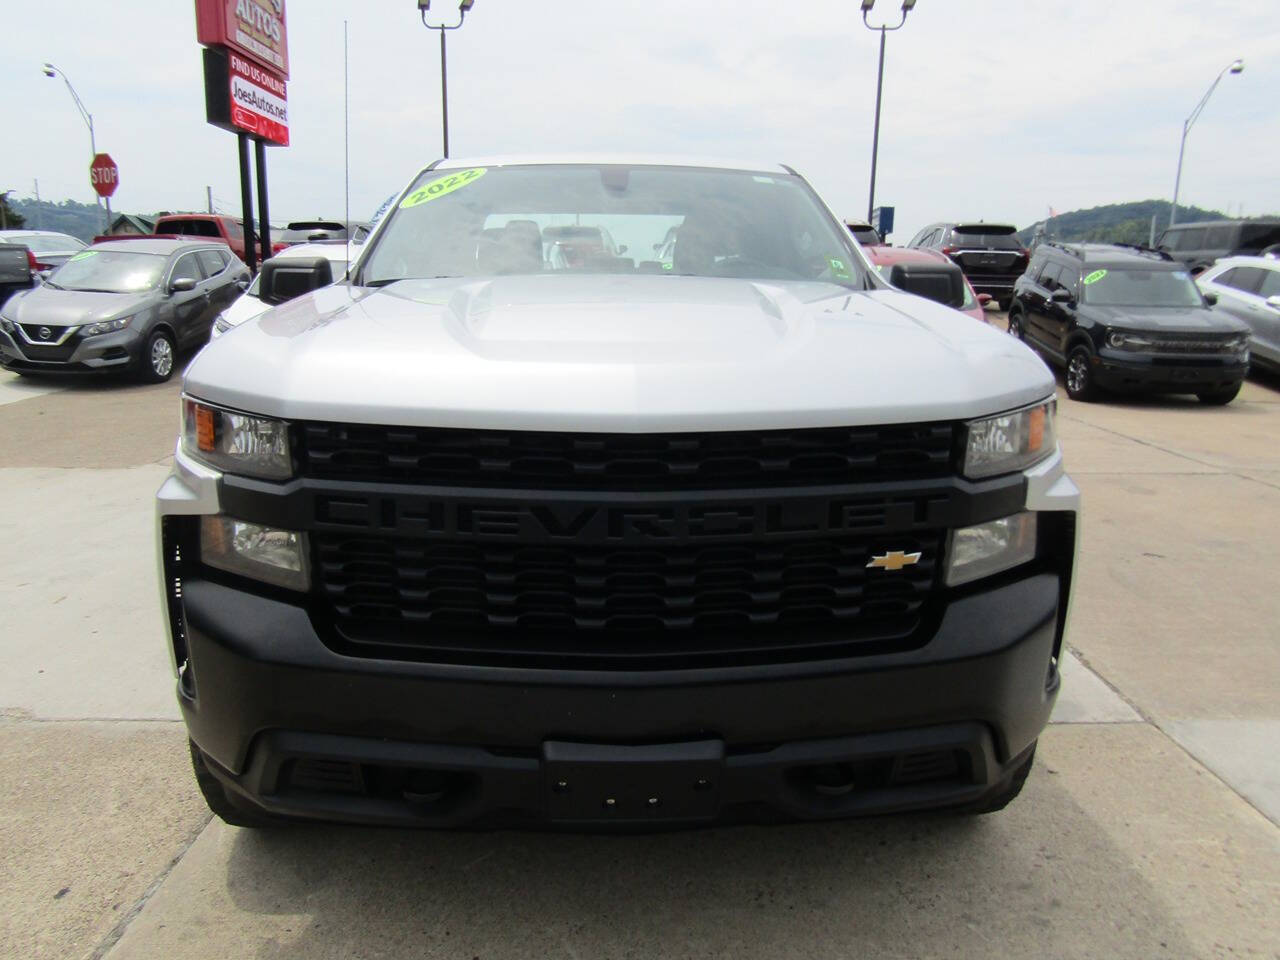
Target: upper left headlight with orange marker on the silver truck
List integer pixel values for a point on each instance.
(239, 444)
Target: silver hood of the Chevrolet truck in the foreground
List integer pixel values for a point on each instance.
(616, 354)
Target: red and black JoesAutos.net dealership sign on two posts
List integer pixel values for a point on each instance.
(246, 68)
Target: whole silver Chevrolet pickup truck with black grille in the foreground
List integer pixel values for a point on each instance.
(486, 537)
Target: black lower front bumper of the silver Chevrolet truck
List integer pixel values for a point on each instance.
(298, 729)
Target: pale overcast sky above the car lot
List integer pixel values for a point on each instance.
(994, 109)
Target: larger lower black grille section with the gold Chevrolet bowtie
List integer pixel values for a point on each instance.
(793, 600)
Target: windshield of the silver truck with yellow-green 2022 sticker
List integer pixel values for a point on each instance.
(611, 220)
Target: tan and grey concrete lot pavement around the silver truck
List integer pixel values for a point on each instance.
(1150, 826)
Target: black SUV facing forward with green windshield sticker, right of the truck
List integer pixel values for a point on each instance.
(1127, 319)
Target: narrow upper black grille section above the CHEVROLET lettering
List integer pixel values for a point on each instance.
(607, 463)
